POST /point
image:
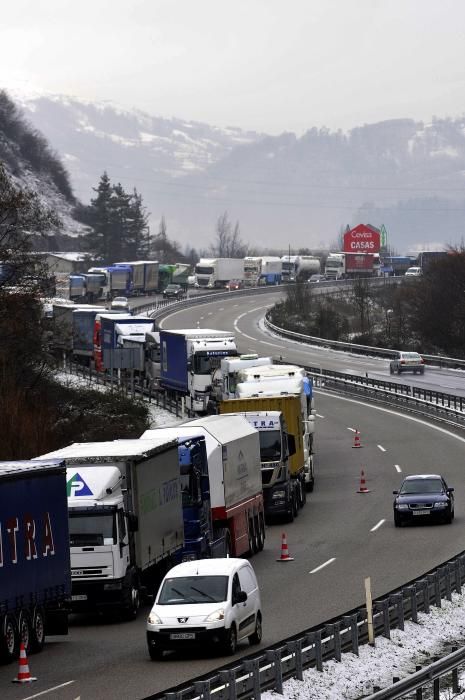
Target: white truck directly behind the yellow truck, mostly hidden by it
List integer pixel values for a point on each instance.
(279, 380)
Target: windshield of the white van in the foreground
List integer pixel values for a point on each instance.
(194, 589)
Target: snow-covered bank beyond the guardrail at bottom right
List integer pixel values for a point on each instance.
(355, 676)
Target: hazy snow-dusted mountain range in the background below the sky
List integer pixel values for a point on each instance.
(284, 190)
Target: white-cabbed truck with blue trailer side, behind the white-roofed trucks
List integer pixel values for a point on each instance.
(189, 358)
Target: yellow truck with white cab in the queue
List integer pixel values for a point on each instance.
(279, 423)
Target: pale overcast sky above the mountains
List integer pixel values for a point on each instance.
(267, 65)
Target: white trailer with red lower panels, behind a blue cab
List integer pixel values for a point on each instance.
(234, 471)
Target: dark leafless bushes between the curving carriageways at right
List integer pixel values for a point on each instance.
(425, 314)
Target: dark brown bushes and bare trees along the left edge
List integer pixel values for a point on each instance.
(37, 414)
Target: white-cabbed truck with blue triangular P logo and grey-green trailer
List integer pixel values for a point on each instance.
(125, 519)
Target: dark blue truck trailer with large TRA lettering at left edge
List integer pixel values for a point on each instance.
(35, 576)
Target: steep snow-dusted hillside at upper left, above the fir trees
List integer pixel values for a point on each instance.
(32, 163)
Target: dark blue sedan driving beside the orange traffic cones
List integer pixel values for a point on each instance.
(423, 496)
